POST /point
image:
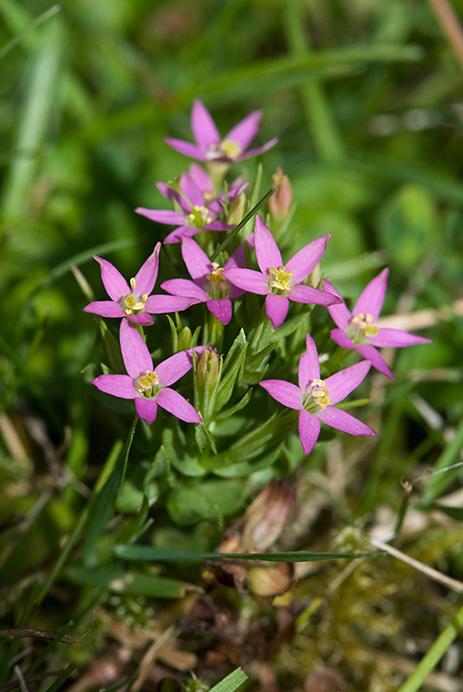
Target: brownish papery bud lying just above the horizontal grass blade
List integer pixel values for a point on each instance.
(267, 516)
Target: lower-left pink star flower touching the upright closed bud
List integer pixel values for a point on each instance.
(149, 386)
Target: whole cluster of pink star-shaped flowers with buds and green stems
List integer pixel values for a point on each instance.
(221, 280)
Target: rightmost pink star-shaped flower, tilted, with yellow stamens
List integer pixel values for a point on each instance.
(358, 330)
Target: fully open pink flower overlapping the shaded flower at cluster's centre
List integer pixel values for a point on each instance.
(279, 282)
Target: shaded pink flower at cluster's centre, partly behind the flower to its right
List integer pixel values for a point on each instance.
(209, 284)
